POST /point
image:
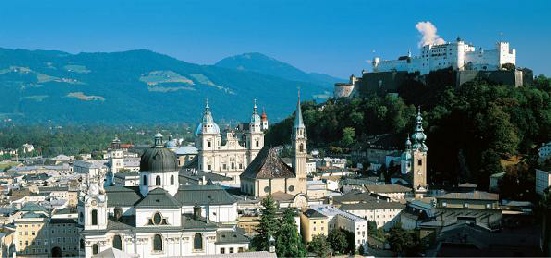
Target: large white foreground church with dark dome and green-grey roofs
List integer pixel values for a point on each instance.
(159, 217)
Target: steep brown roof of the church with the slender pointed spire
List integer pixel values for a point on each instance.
(266, 165)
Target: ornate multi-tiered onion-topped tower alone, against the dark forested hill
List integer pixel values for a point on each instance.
(419, 157)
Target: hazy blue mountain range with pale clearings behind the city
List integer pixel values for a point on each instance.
(141, 86)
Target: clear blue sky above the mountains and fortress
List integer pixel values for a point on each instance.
(333, 37)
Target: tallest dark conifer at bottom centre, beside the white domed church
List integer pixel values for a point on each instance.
(268, 225)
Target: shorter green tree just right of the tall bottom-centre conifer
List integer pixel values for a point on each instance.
(288, 241)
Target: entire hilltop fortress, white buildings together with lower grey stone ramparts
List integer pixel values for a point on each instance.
(460, 61)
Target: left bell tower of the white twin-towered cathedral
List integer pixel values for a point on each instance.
(208, 142)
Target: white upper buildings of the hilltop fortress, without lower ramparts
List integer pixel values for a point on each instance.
(458, 55)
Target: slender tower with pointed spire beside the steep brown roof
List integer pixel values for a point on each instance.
(299, 144)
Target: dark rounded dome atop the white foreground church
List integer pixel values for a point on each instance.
(158, 158)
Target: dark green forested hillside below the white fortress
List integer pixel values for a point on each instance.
(470, 129)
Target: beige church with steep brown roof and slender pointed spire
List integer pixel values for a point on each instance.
(268, 174)
